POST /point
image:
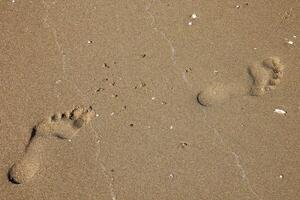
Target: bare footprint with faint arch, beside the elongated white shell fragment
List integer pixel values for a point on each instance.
(266, 76)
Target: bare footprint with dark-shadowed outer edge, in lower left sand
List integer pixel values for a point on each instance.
(62, 126)
